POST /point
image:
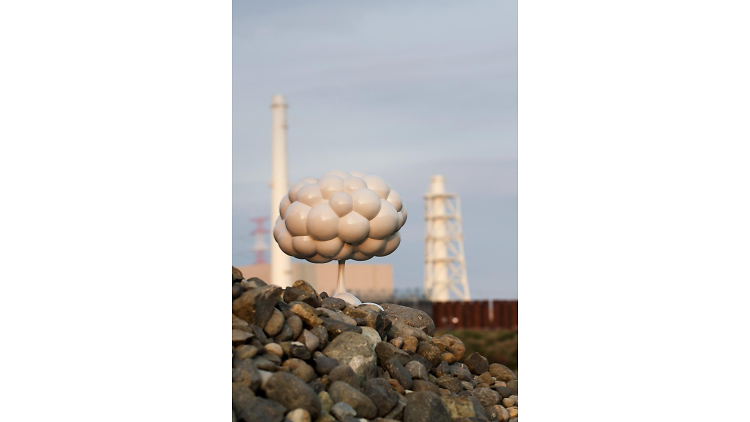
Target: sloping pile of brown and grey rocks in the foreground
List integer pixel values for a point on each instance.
(300, 356)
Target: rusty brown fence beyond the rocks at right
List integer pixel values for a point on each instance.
(481, 314)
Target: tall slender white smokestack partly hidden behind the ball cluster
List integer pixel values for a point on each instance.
(281, 264)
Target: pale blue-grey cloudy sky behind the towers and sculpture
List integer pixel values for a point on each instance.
(403, 90)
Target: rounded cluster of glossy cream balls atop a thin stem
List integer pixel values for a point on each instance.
(340, 216)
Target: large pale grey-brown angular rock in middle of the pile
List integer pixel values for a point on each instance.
(354, 349)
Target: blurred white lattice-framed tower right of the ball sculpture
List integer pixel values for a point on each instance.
(445, 265)
